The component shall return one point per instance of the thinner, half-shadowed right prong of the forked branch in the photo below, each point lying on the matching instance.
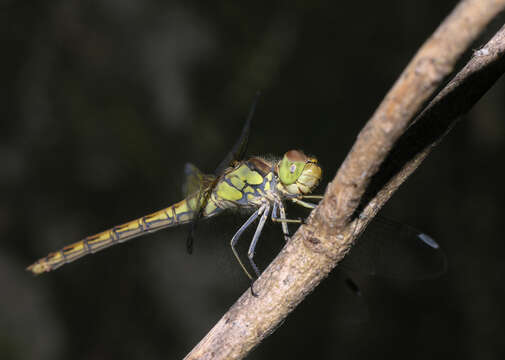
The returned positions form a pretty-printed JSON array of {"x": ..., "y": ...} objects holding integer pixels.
[{"x": 455, "y": 99}]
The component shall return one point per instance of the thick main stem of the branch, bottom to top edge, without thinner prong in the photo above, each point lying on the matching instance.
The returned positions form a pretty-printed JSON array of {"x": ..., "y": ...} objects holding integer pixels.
[{"x": 317, "y": 247}]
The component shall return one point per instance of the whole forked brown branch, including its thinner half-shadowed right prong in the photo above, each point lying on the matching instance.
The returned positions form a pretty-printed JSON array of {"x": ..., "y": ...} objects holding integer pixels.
[{"x": 368, "y": 177}]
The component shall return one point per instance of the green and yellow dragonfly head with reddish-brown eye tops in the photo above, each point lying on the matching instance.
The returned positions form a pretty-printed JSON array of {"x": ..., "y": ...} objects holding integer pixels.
[{"x": 299, "y": 173}]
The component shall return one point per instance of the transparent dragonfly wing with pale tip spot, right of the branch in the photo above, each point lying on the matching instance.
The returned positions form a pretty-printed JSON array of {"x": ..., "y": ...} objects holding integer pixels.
[{"x": 394, "y": 250}]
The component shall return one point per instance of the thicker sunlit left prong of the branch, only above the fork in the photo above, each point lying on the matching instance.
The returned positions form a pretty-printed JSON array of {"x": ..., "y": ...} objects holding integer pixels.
[{"x": 422, "y": 76}]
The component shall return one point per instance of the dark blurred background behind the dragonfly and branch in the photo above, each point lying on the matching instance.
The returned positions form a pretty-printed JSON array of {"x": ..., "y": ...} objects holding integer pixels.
[{"x": 104, "y": 102}]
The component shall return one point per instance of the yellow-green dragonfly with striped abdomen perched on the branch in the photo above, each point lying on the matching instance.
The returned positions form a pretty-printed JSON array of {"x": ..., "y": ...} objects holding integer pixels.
[{"x": 259, "y": 184}]
